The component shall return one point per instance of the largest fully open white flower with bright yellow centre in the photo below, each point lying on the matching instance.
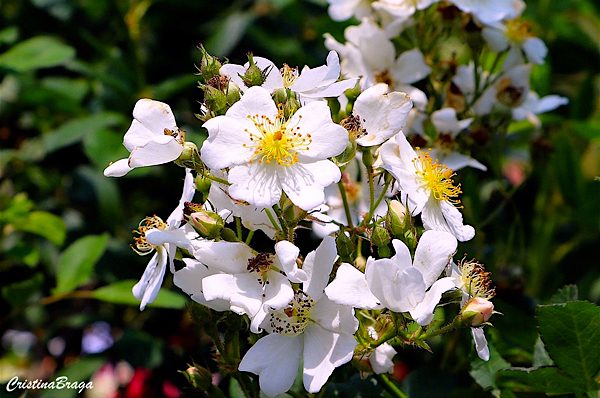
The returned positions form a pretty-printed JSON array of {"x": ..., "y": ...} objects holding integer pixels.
[{"x": 267, "y": 153}]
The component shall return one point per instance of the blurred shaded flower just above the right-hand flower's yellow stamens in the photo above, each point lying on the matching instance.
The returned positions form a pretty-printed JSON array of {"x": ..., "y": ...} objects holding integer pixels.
[{"x": 448, "y": 127}]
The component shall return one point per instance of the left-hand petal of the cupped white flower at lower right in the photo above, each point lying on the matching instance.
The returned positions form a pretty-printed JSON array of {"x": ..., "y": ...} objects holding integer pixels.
[{"x": 350, "y": 288}]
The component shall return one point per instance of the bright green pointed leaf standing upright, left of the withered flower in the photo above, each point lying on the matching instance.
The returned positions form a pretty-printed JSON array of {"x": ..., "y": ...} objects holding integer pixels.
[{"x": 76, "y": 264}]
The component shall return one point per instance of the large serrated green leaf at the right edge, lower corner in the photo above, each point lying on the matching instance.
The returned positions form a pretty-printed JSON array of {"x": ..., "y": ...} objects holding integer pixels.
[{"x": 571, "y": 333}]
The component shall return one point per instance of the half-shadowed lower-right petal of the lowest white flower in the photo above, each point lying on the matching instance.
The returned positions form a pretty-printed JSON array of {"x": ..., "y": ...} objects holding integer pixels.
[{"x": 323, "y": 352}]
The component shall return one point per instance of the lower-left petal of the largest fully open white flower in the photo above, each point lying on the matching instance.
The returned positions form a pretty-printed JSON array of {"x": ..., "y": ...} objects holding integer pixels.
[{"x": 256, "y": 183}]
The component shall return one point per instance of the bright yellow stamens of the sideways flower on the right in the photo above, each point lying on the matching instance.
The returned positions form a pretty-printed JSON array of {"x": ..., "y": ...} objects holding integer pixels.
[{"x": 437, "y": 178}]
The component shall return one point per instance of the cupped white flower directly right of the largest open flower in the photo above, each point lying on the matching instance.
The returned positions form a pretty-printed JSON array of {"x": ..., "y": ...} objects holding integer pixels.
[{"x": 380, "y": 114}]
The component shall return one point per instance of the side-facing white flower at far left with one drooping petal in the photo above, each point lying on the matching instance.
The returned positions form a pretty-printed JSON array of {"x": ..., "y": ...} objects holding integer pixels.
[{"x": 153, "y": 138}]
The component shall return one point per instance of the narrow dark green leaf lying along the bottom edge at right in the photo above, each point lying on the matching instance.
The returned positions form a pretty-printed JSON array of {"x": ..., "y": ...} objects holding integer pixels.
[{"x": 548, "y": 380}]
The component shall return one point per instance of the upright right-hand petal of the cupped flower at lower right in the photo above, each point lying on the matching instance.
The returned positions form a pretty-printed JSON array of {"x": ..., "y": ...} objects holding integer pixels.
[{"x": 433, "y": 253}]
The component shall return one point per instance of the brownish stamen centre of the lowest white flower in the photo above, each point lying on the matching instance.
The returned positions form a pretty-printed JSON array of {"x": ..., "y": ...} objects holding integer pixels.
[{"x": 292, "y": 320}]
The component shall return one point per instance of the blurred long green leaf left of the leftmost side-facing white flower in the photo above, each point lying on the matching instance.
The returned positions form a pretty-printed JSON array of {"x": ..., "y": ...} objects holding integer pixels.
[{"x": 76, "y": 129}]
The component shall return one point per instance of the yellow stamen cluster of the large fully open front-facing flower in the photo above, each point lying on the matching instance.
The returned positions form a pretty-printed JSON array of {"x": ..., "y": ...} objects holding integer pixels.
[{"x": 276, "y": 141}]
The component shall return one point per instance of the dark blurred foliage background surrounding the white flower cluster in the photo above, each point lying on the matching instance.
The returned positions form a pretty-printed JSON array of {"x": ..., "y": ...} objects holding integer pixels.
[{"x": 70, "y": 74}]
